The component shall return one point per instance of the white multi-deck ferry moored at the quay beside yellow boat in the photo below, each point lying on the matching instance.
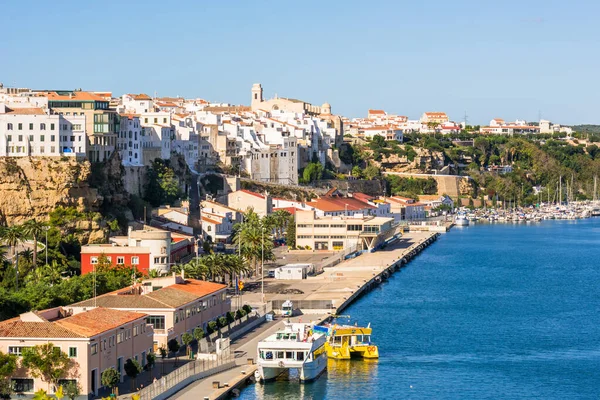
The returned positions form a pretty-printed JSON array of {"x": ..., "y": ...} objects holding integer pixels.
[{"x": 296, "y": 346}]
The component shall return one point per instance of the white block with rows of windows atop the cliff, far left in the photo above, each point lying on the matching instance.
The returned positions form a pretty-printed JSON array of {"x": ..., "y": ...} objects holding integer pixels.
[{"x": 33, "y": 131}]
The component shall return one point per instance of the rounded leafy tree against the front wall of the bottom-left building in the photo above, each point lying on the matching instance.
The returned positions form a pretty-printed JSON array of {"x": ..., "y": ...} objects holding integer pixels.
[{"x": 47, "y": 362}]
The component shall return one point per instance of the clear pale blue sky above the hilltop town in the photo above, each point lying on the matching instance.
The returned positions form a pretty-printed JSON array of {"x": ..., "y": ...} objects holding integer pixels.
[{"x": 508, "y": 59}]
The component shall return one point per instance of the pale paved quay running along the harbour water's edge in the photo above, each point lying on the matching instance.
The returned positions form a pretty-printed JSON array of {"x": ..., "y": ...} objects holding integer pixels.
[{"x": 339, "y": 285}]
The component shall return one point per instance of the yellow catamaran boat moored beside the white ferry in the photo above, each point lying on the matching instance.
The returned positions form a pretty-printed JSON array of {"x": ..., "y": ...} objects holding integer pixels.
[{"x": 346, "y": 341}]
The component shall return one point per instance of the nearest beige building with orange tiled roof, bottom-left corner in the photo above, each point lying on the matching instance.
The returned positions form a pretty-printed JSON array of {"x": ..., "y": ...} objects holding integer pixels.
[{"x": 94, "y": 338}]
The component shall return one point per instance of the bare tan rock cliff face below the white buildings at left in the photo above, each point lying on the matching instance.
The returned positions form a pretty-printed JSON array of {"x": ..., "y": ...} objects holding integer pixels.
[{"x": 33, "y": 187}]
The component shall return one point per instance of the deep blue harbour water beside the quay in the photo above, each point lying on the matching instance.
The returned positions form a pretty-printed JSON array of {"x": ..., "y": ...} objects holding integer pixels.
[{"x": 489, "y": 311}]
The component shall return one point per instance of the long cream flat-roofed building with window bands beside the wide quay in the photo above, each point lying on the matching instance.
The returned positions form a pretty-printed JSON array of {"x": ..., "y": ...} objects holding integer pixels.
[{"x": 340, "y": 232}]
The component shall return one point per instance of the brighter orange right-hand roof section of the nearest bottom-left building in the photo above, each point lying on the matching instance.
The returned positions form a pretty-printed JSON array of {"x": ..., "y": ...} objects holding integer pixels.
[{"x": 98, "y": 320}]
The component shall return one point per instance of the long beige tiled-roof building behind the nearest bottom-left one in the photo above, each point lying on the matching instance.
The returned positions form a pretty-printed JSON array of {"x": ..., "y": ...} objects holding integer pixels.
[{"x": 174, "y": 305}]
